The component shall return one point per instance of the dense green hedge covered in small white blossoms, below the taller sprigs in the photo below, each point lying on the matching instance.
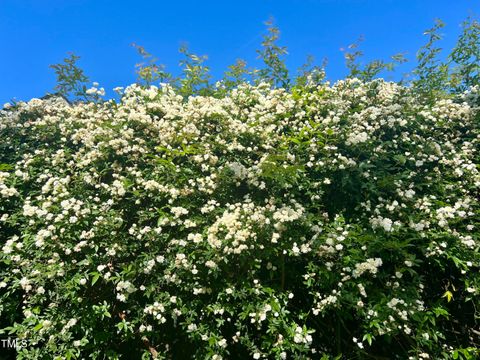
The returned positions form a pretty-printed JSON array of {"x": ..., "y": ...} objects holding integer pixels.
[{"x": 317, "y": 223}]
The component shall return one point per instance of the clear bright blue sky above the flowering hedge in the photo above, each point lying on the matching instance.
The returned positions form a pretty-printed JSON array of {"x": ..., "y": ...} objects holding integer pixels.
[{"x": 35, "y": 34}]
